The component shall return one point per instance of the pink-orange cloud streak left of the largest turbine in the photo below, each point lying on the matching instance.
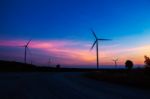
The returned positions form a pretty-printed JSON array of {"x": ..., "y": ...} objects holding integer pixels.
[{"x": 68, "y": 52}]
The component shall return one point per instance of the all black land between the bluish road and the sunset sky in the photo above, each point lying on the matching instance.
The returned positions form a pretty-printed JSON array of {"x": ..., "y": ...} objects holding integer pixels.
[{"x": 139, "y": 78}]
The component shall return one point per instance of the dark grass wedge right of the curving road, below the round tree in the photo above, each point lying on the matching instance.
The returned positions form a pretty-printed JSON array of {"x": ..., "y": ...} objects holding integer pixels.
[{"x": 138, "y": 78}]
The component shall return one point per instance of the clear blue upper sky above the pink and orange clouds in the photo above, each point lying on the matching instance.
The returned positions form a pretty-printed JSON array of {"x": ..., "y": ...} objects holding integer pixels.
[{"x": 124, "y": 21}]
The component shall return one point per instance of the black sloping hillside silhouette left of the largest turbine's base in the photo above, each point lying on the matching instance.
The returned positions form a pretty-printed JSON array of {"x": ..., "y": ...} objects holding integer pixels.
[{"x": 12, "y": 66}]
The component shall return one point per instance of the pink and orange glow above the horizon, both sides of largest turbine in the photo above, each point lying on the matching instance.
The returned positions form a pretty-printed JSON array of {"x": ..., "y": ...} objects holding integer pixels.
[{"x": 78, "y": 53}]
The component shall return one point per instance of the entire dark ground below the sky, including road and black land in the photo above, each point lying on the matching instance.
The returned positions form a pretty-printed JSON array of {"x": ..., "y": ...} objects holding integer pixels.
[{"x": 25, "y": 81}]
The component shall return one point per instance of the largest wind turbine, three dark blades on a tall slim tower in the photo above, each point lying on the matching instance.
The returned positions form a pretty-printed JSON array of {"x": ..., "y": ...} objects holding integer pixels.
[{"x": 96, "y": 42}]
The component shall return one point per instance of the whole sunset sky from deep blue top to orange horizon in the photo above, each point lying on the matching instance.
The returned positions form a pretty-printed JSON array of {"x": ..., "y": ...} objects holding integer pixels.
[{"x": 60, "y": 31}]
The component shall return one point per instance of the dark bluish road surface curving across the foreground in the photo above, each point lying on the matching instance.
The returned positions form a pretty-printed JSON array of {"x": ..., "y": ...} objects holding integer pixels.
[{"x": 63, "y": 85}]
